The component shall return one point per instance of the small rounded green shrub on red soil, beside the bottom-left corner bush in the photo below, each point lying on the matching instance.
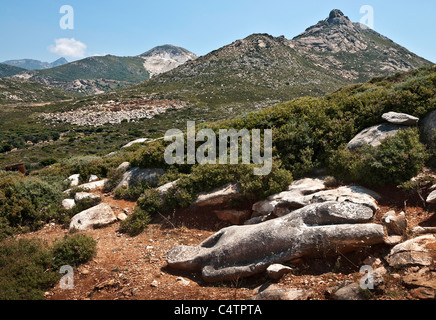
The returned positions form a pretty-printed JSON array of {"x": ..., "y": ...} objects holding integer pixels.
[{"x": 73, "y": 250}]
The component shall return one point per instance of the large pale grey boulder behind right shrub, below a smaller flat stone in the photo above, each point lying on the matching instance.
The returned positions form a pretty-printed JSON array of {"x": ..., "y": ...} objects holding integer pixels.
[{"x": 374, "y": 135}]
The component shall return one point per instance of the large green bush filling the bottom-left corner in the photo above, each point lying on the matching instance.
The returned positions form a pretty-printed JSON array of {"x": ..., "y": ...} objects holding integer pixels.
[{"x": 26, "y": 270}]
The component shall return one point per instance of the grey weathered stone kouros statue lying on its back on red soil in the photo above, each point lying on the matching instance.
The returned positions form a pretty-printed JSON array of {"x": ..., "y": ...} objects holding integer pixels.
[{"x": 316, "y": 230}]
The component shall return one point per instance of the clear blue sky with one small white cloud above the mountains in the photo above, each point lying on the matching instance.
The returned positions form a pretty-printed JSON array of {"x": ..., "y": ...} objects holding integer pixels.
[{"x": 31, "y": 28}]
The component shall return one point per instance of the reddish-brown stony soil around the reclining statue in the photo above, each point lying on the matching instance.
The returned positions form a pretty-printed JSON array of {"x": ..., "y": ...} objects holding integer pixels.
[{"x": 135, "y": 268}]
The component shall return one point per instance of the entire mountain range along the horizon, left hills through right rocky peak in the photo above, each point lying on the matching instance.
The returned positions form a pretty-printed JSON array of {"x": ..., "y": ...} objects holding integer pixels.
[{"x": 251, "y": 73}]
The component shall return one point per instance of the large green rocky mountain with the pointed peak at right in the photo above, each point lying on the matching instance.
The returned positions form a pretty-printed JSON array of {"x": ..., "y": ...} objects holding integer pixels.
[{"x": 261, "y": 70}]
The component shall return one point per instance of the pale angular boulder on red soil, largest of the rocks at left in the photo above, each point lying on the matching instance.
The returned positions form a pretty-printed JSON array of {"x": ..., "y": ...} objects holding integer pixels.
[{"x": 97, "y": 216}]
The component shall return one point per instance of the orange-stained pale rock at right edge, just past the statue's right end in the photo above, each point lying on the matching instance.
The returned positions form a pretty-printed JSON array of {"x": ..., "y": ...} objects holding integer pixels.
[{"x": 416, "y": 251}]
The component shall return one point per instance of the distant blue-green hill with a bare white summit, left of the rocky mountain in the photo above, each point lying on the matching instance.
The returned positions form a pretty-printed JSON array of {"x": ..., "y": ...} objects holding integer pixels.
[{"x": 99, "y": 74}]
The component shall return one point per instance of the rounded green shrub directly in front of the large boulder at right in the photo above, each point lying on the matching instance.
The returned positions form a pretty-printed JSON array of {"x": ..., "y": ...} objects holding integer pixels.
[{"x": 398, "y": 159}]
